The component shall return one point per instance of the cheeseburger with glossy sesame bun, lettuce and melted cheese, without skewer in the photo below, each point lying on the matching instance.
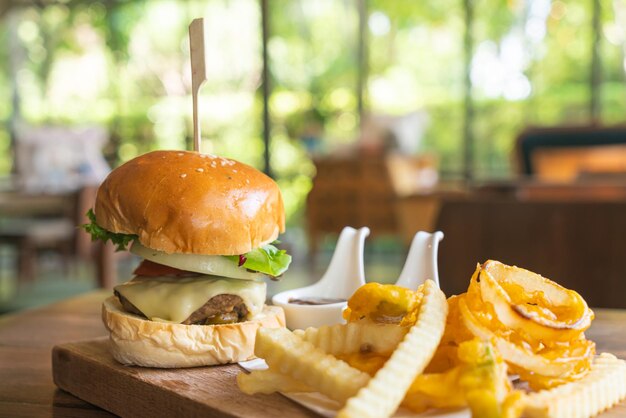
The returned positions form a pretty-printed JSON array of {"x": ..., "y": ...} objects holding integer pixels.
[{"x": 204, "y": 227}]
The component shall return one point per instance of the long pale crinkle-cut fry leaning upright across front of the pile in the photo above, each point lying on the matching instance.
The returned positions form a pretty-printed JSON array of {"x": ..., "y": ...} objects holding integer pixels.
[{"x": 384, "y": 392}]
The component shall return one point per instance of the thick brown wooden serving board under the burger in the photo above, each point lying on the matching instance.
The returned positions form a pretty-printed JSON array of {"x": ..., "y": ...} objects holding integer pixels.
[{"x": 88, "y": 371}]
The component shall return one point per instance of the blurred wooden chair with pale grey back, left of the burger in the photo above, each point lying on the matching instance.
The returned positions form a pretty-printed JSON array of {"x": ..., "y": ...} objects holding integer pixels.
[{"x": 57, "y": 169}]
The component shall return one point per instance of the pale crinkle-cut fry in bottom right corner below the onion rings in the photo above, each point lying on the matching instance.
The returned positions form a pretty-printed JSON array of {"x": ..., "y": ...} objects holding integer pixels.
[{"x": 603, "y": 387}]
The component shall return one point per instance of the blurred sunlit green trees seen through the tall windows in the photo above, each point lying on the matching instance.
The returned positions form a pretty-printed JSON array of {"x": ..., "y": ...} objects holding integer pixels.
[{"x": 125, "y": 65}]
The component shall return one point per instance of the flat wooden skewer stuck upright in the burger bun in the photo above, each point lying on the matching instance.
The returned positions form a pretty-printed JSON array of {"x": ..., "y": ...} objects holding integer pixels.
[{"x": 198, "y": 73}]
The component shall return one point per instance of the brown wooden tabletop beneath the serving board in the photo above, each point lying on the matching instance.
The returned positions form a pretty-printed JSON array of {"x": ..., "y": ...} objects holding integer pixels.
[{"x": 27, "y": 338}]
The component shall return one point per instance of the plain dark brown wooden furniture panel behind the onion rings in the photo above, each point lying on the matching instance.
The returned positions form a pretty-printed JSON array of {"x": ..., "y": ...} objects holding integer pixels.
[{"x": 579, "y": 244}]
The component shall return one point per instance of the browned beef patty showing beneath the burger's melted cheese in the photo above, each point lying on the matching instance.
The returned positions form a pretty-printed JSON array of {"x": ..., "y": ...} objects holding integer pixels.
[{"x": 220, "y": 309}]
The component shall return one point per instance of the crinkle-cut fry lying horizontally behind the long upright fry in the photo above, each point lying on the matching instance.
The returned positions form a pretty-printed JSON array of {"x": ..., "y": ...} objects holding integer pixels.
[{"x": 353, "y": 337}]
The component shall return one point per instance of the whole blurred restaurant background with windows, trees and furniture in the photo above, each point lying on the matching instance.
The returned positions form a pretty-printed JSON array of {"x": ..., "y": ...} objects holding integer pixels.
[{"x": 499, "y": 122}]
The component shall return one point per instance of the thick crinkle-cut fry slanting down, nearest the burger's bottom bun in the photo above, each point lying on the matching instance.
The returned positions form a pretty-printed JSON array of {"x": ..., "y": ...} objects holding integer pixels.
[{"x": 285, "y": 352}]
